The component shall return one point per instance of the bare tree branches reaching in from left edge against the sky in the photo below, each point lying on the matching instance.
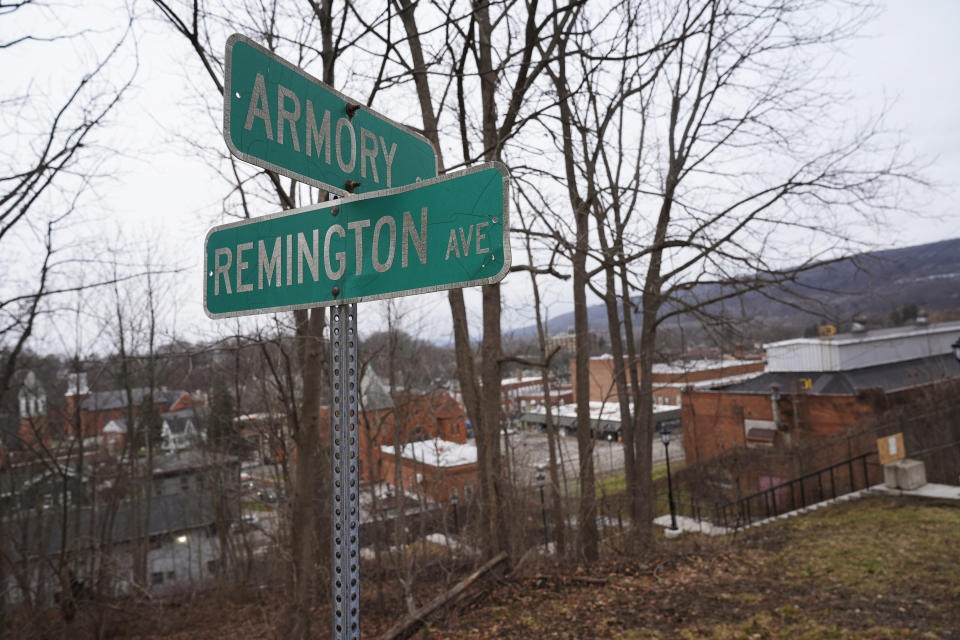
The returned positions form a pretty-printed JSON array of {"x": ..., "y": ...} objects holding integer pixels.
[{"x": 51, "y": 163}]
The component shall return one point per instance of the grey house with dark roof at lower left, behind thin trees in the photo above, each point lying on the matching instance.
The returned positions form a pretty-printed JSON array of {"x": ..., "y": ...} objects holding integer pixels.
[{"x": 191, "y": 495}]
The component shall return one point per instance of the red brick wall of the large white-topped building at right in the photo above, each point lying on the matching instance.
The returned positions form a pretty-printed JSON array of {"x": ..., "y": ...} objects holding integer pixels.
[{"x": 818, "y": 431}]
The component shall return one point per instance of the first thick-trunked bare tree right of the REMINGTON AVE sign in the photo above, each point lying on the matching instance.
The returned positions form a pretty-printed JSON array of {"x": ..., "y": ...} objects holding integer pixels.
[{"x": 589, "y": 114}]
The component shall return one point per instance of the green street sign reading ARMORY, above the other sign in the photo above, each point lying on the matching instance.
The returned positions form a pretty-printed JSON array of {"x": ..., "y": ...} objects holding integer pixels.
[{"x": 281, "y": 118}]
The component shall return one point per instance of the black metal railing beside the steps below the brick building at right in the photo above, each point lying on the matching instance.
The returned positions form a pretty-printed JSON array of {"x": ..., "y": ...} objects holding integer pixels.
[{"x": 810, "y": 488}]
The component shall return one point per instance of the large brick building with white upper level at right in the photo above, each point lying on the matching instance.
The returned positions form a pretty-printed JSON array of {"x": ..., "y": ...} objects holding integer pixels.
[{"x": 816, "y": 395}]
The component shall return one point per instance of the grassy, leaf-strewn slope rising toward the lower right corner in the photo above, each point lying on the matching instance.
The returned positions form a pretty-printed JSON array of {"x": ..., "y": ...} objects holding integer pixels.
[{"x": 878, "y": 568}]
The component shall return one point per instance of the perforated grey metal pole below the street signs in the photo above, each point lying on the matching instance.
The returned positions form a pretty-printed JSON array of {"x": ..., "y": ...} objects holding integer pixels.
[{"x": 346, "y": 504}]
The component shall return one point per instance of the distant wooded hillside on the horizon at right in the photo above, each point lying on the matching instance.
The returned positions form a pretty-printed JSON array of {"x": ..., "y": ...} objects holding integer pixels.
[{"x": 879, "y": 282}]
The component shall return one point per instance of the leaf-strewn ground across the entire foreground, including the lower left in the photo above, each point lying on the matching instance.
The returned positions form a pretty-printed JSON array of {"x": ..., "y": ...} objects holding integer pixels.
[{"x": 877, "y": 568}]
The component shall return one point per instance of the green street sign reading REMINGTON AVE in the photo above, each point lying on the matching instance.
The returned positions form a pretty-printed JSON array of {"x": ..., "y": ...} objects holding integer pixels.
[{"x": 443, "y": 233}]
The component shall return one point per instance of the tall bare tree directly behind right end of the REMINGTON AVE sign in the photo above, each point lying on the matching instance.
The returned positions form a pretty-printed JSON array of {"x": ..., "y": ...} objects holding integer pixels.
[{"x": 480, "y": 59}]
